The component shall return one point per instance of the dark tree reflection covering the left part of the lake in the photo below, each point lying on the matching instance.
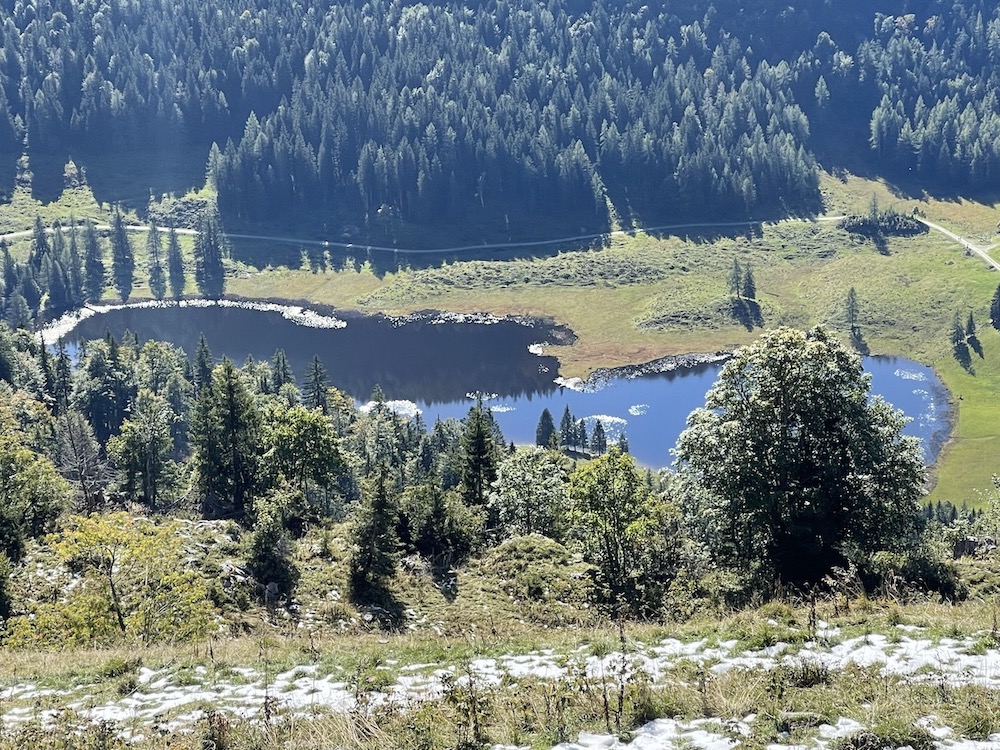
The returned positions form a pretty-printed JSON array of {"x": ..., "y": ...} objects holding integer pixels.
[{"x": 431, "y": 361}]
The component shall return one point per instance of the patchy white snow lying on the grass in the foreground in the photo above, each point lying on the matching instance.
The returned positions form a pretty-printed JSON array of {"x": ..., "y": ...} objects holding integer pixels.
[{"x": 172, "y": 699}]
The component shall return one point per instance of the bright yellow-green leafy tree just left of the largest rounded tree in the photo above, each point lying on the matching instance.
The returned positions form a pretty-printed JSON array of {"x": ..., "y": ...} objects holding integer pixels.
[{"x": 613, "y": 515}]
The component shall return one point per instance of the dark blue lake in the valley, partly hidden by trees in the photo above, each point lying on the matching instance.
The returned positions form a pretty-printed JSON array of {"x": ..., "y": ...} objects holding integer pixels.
[{"x": 436, "y": 365}]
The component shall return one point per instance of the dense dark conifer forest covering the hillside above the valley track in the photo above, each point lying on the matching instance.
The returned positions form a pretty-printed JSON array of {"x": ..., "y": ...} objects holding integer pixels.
[{"x": 383, "y": 112}]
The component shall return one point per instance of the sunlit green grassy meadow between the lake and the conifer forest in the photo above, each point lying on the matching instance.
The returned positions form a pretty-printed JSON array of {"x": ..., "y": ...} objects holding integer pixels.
[{"x": 643, "y": 297}]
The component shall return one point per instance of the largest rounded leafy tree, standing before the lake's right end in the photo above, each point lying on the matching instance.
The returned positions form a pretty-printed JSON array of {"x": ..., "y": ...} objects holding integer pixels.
[{"x": 791, "y": 469}]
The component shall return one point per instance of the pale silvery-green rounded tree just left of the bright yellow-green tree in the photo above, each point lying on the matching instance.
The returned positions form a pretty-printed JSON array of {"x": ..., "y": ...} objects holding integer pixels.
[{"x": 528, "y": 496}]
